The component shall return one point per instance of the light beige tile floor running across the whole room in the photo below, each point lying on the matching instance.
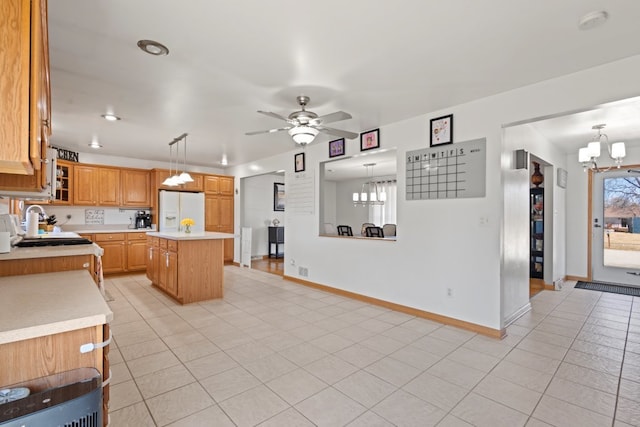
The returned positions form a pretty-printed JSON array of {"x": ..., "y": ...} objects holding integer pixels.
[{"x": 275, "y": 353}]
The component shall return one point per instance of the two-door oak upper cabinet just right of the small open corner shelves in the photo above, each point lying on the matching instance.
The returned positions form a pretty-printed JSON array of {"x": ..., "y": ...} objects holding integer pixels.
[{"x": 96, "y": 186}]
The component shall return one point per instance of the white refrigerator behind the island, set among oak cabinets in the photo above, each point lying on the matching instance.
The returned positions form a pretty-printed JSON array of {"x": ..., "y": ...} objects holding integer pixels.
[{"x": 177, "y": 205}]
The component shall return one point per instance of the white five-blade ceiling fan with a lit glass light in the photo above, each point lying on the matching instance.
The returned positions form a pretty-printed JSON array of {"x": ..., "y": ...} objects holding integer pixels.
[{"x": 303, "y": 125}]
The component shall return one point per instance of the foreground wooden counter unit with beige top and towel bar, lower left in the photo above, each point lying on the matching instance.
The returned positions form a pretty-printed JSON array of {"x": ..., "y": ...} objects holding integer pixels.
[{"x": 44, "y": 321}]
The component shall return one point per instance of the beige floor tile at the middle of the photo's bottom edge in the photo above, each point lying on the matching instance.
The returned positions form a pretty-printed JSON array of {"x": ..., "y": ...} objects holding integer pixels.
[{"x": 329, "y": 407}]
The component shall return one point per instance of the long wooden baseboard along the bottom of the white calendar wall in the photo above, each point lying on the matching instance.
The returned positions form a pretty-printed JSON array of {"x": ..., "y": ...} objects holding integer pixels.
[{"x": 473, "y": 327}]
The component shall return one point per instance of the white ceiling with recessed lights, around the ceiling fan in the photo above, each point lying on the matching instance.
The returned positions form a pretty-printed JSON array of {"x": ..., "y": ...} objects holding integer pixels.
[{"x": 381, "y": 64}]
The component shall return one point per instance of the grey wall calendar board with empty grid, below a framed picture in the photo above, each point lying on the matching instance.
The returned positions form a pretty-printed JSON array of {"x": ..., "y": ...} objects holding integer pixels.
[{"x": 450, "y": 172}]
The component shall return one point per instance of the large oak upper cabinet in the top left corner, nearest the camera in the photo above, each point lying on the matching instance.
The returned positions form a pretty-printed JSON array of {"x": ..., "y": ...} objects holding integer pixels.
[{"x": 24, "y": 86}]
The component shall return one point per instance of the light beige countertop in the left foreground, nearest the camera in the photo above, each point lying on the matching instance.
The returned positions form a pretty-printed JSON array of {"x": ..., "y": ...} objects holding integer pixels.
[{"x": 37, "y": 305}]
